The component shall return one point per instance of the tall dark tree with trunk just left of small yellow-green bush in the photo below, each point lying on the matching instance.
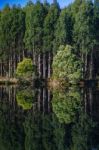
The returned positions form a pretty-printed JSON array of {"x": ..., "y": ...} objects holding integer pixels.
[{"x": 17, "y": 32}]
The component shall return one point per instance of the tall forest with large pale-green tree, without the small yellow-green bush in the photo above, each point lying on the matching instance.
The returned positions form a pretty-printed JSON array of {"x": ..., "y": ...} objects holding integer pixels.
[{"x": 61, "y": 42}]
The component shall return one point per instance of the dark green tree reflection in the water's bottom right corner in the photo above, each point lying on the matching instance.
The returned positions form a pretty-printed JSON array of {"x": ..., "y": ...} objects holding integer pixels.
[{"x": 82, "y": 133}]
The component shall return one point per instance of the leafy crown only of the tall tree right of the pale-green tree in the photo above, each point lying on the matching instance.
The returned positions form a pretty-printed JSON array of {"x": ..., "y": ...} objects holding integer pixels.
[{"x": 84, "y": 27}]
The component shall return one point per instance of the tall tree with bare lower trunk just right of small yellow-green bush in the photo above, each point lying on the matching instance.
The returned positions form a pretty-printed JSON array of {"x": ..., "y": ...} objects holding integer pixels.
[{"x": 34, "y": 32}]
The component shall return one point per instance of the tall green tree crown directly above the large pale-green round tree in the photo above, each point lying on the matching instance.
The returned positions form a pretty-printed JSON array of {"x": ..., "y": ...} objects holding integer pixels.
[{"x": 64, "y": 29}]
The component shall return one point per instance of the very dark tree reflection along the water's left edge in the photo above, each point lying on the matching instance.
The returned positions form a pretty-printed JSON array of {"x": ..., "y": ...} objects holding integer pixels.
[{"x": 11, "y": 129}]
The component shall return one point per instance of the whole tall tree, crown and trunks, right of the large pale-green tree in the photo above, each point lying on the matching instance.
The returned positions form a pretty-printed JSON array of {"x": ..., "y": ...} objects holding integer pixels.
[{"x": 84, "y": 36}]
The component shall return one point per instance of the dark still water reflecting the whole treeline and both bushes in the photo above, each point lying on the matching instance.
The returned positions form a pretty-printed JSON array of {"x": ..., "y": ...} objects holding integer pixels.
[{"x": 42, "y": 119}]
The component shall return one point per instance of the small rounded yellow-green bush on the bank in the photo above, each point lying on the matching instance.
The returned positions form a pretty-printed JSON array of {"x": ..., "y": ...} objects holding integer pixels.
[{"x": 25, "y": 69}]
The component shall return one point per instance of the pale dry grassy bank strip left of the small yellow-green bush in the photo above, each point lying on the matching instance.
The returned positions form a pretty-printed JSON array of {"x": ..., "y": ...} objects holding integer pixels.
[{"x": 5, "y": 80}]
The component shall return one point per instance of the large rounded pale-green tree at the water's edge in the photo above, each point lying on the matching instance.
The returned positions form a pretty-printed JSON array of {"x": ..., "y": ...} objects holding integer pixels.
[{"x": 66, "y": 66}]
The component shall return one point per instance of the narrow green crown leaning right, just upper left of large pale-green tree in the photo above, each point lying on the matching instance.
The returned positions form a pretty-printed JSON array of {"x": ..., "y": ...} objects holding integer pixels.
[{"x": 50, "y": 26}]
